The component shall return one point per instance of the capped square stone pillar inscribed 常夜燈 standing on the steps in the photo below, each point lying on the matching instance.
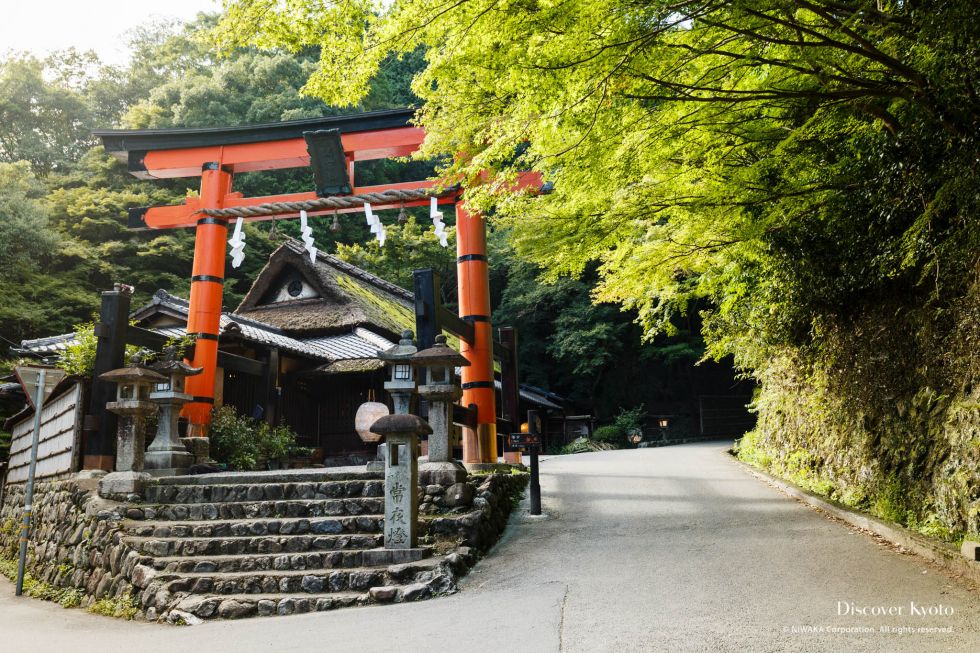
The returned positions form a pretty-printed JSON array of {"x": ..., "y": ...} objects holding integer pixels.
[{"x": 401, "y": 433}]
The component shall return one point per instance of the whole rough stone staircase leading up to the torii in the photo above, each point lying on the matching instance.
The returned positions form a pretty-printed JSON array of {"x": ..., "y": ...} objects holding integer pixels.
[{"x": 266, "y": 543}]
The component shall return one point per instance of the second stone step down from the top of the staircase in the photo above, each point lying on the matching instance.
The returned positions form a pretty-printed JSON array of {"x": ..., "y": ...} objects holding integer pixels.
[{"x": 271, "y": 491}]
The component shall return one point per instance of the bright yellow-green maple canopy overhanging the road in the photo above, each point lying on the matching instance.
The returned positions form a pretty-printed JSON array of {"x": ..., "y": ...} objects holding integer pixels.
[{"x": 783, "y": 158}]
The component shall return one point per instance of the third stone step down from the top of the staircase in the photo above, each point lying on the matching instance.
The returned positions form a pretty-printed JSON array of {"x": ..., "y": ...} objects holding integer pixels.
[{"x": 258, "y": 509}]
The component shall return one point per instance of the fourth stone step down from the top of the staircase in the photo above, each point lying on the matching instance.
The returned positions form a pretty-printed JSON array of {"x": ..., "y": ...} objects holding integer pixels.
[{"x": 258, "y": 526}]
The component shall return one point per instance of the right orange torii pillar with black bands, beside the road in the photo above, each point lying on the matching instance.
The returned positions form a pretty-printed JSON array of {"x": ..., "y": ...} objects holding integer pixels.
[{"x": 480, "y": 446}]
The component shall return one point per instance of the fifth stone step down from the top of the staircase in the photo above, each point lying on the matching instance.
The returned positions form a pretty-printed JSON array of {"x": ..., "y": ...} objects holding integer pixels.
[{"x": 160, "y": 546}]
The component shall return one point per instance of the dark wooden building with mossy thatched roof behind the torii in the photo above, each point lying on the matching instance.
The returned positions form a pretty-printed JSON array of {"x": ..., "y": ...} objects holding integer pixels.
[{"x": 317, "y": 327}]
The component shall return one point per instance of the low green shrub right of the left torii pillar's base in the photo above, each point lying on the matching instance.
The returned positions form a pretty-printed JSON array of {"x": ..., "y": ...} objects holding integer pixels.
[{"x": 244, "y": 443}]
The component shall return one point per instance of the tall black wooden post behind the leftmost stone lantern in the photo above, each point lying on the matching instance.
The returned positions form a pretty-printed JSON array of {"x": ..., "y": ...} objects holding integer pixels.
[{"x": 110, "y": 351}]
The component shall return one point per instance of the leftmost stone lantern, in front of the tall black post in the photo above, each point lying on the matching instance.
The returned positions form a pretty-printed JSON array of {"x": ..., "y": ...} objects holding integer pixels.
[{"x": 133, "y": 405}]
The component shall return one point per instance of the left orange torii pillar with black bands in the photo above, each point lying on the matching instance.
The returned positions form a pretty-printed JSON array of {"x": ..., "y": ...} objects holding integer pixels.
[{"x": 207, "y": 285}]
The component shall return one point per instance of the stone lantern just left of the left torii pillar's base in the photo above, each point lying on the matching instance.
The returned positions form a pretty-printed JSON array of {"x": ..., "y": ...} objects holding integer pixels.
[{"x": 167, "y": 455}]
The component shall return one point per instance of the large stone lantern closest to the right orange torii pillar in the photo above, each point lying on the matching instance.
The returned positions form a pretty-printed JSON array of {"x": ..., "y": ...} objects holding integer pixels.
[{"x": 439, "y": 363}]
